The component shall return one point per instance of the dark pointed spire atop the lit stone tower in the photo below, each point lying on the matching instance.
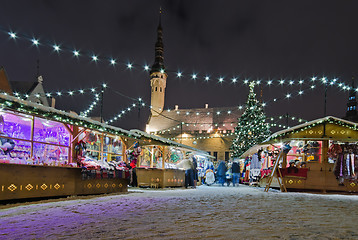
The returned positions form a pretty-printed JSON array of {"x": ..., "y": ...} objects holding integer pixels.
[{"x": 159, "y": 48}]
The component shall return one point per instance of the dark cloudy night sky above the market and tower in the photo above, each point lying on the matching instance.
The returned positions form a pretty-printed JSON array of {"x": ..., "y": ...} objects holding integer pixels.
[{"x": 255, "y": 40}]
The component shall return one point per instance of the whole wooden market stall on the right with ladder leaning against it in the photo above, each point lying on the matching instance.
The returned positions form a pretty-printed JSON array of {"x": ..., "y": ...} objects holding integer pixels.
[{"x": 321, "y": 155}]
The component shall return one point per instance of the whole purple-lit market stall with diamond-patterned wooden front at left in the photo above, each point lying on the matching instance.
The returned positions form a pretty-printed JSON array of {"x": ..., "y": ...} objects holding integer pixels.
[{"x": 46, "y": 152}]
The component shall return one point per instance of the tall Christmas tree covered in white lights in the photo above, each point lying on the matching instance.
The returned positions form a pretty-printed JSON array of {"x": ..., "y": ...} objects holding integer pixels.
[{"x": 252, "y": 127}]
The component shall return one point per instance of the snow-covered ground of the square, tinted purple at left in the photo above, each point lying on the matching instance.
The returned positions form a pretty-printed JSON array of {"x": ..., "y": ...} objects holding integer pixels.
[{"x": 206, "y": 212}]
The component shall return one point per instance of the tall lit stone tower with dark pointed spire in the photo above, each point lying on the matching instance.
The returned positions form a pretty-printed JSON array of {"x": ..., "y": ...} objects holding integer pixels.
[{"x": 158, "y": 76}]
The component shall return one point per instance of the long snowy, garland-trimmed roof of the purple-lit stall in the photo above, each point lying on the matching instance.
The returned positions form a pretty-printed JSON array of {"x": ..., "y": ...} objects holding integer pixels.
[{"x": 12, "y": 103}]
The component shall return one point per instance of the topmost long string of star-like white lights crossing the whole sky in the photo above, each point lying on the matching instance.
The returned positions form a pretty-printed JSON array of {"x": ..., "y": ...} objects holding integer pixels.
[{"x": 221, "y": 79}]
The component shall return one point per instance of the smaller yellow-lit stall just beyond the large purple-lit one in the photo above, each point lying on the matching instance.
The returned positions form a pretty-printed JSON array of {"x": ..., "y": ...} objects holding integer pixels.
[{"x": 157, "y": 165}]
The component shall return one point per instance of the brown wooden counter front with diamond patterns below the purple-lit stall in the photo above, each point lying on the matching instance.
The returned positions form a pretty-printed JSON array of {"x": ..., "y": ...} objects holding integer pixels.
[{"x": 30, "y": 181}]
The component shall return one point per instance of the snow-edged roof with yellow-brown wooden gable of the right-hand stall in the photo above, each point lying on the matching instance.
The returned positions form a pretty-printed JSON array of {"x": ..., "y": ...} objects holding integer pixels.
[{"x": 331, "y": 128}]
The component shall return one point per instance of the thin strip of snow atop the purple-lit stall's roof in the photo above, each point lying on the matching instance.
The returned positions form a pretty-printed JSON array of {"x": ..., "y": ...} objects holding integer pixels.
[{"x": 61, "y": 112}]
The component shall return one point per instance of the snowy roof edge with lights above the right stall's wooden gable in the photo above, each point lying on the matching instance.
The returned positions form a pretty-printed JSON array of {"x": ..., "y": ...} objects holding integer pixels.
[{"x": 329, "y": 119}]
